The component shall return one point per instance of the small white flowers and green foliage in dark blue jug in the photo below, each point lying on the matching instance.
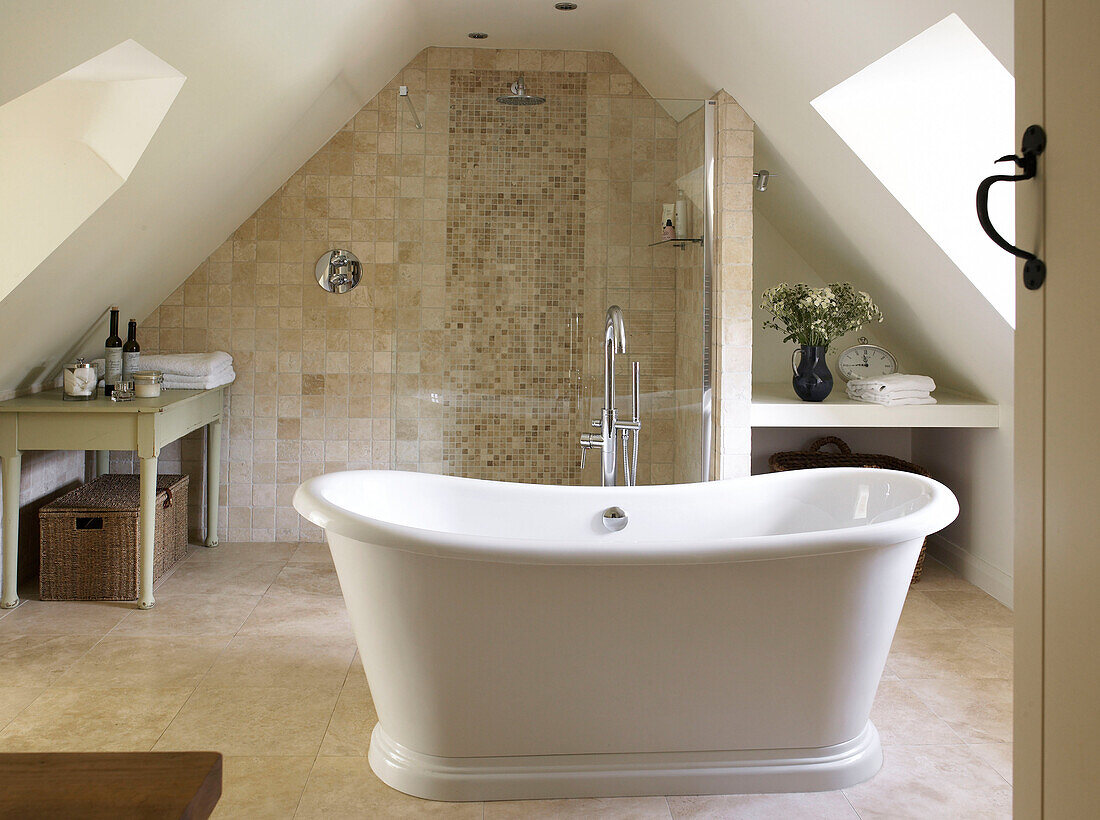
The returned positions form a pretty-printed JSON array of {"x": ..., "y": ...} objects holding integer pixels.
[{"x": 818, "y": 315}]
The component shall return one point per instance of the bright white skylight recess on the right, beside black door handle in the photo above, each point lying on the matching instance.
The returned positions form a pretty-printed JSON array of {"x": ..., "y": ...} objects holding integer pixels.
[{"x": 929, "y": 119}]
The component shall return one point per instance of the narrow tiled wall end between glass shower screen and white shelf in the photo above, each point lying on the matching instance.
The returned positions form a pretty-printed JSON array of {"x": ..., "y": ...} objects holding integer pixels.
[{"x": 733, "y": 294}]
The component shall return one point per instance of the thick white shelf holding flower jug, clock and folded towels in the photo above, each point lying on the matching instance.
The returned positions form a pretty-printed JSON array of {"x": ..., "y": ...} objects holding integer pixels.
[{"x": 776, "y": 406}]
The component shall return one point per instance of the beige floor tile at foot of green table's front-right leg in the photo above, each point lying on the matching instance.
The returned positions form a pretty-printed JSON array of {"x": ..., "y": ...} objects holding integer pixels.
[{"x": 190, "y": 615}]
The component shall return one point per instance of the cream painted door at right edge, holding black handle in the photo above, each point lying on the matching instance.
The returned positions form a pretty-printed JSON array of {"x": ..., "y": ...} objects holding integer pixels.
[{"x": 1058, "y": 567}]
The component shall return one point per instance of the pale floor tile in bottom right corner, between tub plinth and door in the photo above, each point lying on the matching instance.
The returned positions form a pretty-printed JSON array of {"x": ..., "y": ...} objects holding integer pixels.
[{"x": 933, "y": 782}]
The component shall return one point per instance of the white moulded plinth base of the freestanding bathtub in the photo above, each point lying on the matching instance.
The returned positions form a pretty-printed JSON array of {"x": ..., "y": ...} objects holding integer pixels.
[{"x": 624, "y": 775}]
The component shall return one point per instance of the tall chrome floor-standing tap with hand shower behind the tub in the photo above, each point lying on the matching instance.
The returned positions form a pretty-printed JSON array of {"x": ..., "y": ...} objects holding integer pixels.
[{"x": 609, "y": 424}]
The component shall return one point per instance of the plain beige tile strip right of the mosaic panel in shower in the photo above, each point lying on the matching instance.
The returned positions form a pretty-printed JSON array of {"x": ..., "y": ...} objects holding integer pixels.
[{"x": 631, "y": 173}]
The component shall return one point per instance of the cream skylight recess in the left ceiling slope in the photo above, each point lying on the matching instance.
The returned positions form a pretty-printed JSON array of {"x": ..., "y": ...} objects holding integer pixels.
[{"x": 68, "y": 146}]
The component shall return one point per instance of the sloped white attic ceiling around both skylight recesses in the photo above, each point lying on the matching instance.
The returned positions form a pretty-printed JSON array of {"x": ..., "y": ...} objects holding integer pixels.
[{"x": 269, "y": 83}]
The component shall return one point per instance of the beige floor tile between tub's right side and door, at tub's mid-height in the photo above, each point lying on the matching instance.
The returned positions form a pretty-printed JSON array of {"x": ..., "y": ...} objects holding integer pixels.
[{"x": 954, "y": 654}]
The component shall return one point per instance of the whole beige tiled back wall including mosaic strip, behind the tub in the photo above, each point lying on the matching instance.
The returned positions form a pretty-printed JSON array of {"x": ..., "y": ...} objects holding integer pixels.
[{"x": 376, "y": 379}]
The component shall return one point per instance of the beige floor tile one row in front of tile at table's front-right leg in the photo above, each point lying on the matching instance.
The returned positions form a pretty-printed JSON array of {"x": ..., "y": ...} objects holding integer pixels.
[{"x": 127, "y": 661}]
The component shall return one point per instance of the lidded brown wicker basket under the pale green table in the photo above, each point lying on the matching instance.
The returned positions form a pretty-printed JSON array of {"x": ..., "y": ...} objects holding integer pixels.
[{"x": 91, "y": 539}]
